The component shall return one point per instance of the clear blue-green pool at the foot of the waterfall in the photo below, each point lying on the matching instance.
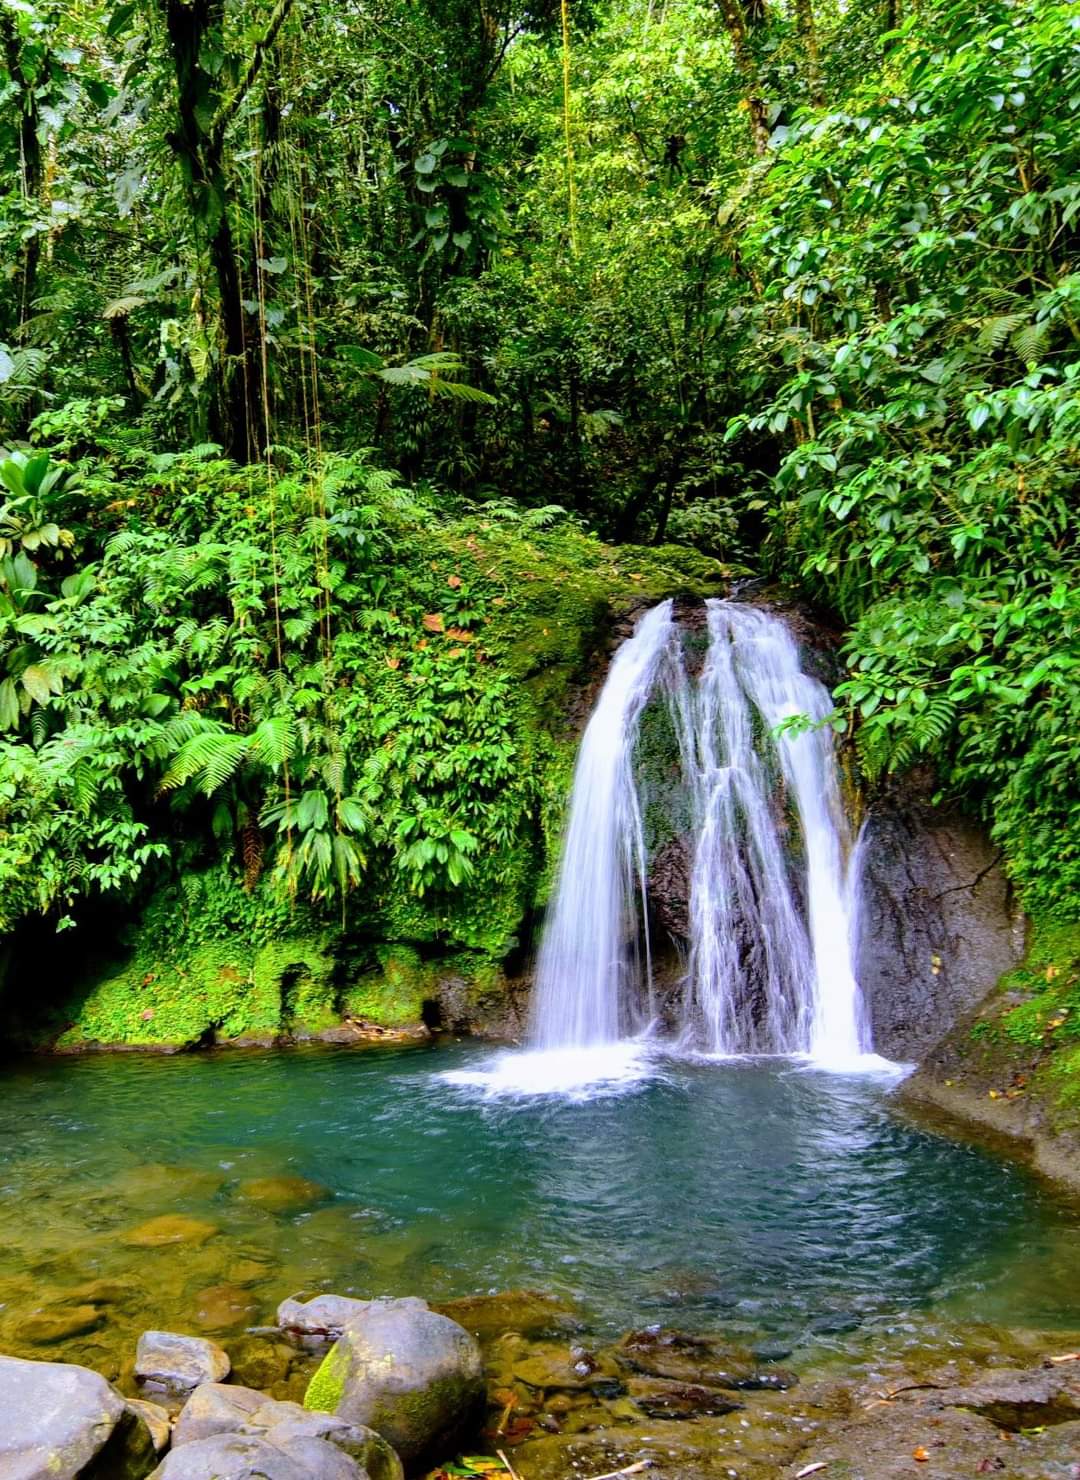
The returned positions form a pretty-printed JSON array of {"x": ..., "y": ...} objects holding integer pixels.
[{"x": 763, "y": 1200}]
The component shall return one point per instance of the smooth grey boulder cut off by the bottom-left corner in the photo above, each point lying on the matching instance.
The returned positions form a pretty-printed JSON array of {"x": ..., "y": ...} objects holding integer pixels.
[{"x": 57, "y": 1420}]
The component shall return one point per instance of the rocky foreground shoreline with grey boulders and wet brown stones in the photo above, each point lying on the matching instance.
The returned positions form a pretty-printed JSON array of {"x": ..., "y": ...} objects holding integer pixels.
[{"x": 510, "y": 1387}]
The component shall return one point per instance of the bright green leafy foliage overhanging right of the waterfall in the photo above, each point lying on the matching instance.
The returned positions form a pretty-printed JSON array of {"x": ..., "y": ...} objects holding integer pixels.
[{"x": 918, "y": 309}]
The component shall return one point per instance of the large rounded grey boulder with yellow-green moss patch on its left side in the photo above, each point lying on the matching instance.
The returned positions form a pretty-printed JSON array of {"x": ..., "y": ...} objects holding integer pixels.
[{"x": 411, "y": 1374}]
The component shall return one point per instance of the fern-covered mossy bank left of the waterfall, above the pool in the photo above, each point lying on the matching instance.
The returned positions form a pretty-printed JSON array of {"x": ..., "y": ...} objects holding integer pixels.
[{"x": 273, "y": 713}]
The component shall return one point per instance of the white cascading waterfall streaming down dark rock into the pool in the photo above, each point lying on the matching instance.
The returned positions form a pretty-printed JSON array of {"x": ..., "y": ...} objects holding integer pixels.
[{"x": 772, "y": 943}]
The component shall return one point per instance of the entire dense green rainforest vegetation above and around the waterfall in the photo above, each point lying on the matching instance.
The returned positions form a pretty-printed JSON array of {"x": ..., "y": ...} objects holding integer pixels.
[{"x": 795, "y": 286}]
